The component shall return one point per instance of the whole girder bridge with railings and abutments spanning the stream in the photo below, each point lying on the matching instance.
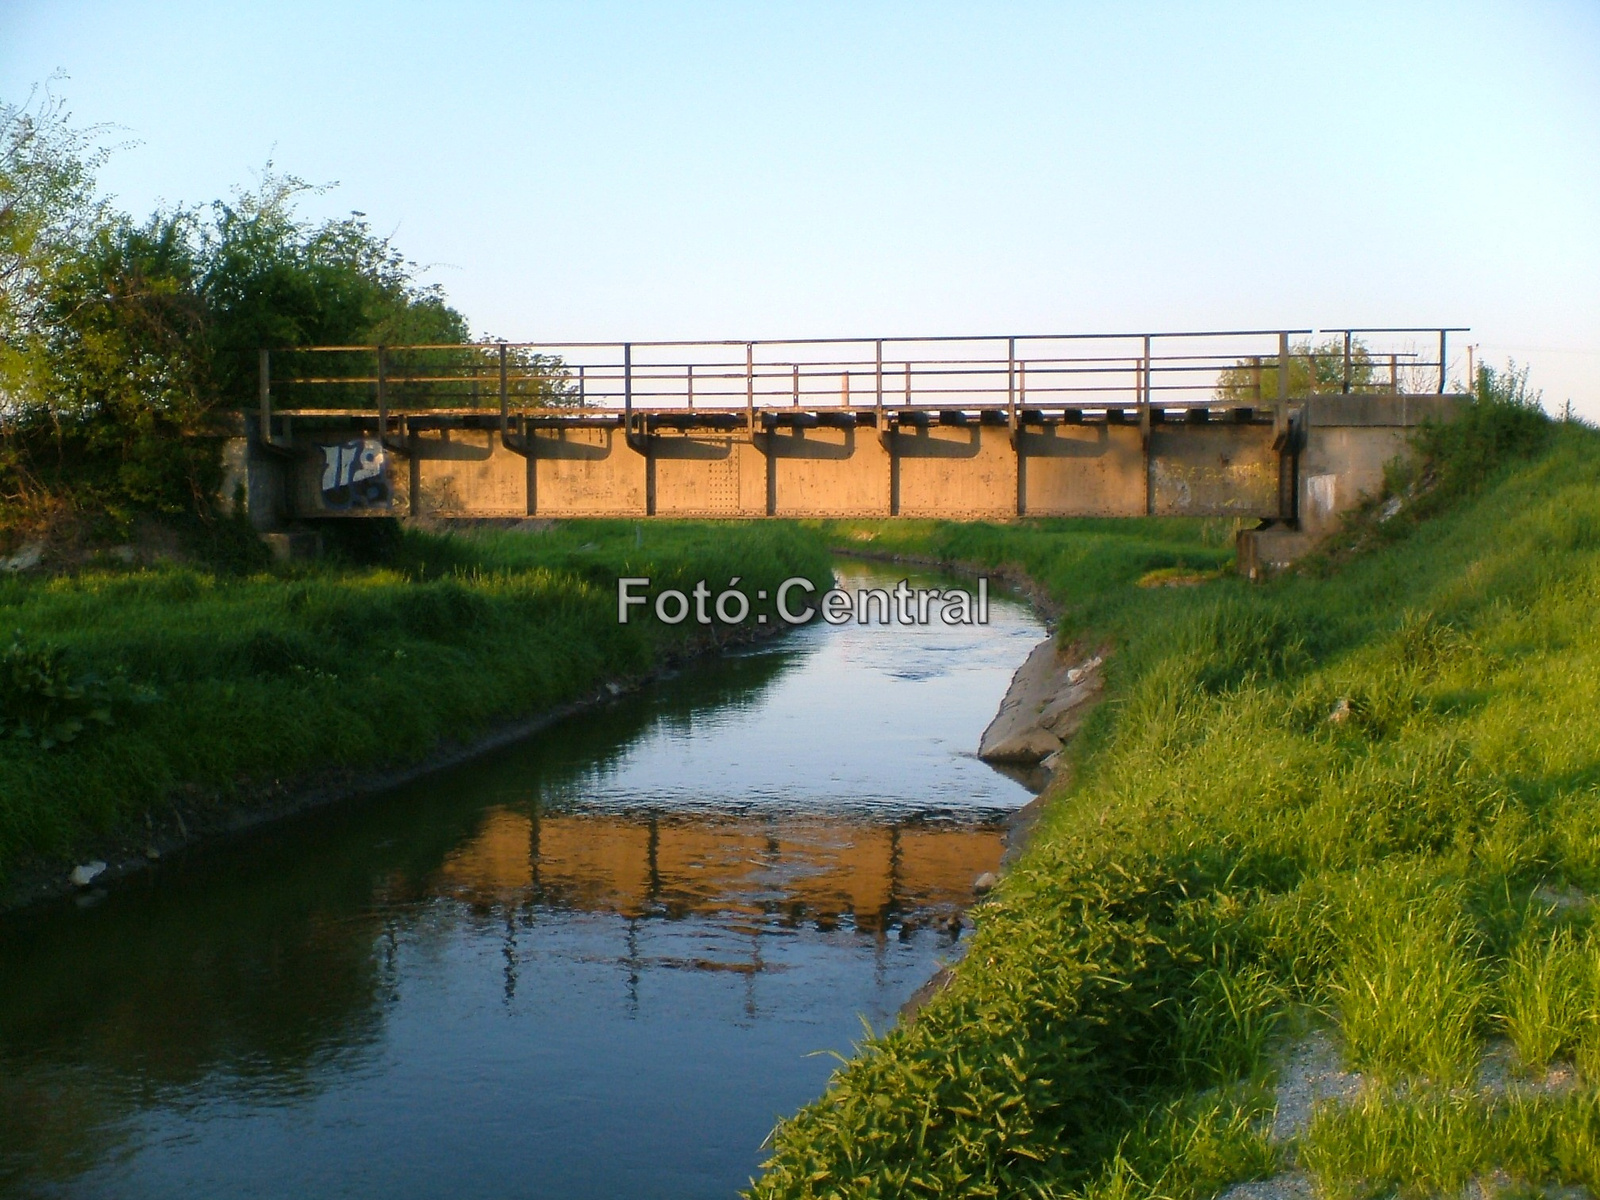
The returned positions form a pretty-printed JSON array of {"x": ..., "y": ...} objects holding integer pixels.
[{"x": 1278, "y": 426}]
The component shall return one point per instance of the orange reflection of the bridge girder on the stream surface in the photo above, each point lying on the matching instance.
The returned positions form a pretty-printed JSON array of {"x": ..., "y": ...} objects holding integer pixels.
[{"x": 817, "y": 871}]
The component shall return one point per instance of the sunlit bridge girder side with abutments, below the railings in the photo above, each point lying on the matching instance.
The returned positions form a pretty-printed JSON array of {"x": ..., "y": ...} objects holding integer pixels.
[{"x": 962, "y": 468}]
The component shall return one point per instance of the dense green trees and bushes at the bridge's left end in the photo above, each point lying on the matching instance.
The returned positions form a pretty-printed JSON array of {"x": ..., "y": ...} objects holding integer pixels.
[{"x": 122, "y": 340}]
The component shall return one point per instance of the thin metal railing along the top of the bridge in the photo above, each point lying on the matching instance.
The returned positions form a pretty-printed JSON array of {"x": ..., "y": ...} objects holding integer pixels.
[{"x": 1012, "y": 374}]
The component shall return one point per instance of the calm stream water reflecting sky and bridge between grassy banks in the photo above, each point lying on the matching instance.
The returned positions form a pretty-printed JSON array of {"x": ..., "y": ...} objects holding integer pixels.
[{"x": 601, "y": 964}]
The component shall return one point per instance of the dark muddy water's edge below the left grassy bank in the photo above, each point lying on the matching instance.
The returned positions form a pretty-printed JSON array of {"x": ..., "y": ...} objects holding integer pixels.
[{"x": 204, "y": 818}]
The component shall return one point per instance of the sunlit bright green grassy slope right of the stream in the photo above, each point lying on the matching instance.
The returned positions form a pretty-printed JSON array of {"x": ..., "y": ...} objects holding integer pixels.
[{"x": 1364, "y": 798}]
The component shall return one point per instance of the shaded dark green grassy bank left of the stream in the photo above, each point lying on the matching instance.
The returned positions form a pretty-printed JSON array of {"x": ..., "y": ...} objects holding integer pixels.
[{"x": 129, "y": 690}]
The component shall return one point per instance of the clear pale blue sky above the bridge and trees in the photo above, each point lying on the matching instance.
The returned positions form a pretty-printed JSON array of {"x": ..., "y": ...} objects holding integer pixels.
[{"x": 601, "y": 170}]
